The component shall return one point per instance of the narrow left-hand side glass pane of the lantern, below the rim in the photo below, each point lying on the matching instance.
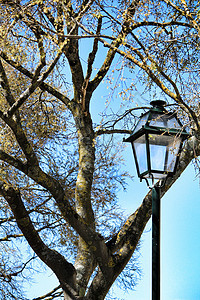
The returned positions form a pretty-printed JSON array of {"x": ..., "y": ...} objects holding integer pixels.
[{"x": 140, "y": 150}]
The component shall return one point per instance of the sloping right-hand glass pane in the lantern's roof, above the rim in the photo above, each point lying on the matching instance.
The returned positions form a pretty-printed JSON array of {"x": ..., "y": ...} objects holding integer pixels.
[{"x": 165, "y": 120}]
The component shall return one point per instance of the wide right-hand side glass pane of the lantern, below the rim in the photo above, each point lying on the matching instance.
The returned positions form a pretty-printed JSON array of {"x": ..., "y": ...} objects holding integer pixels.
[{"x": 163, "y": 152}]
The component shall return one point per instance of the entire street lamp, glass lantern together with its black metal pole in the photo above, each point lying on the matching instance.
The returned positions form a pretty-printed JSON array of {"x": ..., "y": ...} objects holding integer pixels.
[{"x": 157, "y": 142}]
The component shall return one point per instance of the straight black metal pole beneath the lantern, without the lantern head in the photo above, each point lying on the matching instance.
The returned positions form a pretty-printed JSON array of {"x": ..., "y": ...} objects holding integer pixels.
[{"x": 156, "y": 243}]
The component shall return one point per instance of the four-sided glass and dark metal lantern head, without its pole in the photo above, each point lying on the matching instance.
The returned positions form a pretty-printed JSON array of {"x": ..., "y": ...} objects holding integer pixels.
[{"x": 157, "y": 141}]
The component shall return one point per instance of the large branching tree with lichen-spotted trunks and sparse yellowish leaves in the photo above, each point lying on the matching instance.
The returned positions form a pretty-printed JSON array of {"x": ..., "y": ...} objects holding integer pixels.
[{"x": 60, "y": 171}]
